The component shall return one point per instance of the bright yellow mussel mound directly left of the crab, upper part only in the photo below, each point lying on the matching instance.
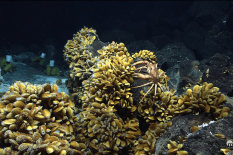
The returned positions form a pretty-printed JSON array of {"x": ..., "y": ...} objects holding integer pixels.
[{"x": 111, "y": 79}]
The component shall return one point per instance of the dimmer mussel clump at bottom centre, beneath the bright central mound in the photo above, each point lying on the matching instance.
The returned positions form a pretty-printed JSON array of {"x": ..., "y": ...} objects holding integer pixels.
[{"x": 106, "y": 132}]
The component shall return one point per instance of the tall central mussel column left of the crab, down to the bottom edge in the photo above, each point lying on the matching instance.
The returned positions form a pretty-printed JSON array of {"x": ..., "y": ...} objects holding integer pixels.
[{"x": 106, "y": 98}]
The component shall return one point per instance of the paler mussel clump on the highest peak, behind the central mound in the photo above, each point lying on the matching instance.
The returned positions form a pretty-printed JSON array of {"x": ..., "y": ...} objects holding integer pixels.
[{"x": 77, "y": 55}]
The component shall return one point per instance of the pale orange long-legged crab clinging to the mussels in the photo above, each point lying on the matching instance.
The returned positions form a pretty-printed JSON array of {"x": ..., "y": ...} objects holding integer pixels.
[{"x": 152, "y": 75}]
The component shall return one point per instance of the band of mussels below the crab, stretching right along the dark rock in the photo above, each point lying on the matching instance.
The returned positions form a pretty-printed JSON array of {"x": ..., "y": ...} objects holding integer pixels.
[{"x": 166, "y": 105}]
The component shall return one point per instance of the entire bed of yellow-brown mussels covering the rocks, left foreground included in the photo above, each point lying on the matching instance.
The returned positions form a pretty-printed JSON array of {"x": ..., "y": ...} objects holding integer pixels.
[{"x": 37, "y": 119}]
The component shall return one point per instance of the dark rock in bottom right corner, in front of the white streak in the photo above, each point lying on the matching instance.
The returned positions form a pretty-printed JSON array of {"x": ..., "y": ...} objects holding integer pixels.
[{"x": 204, "y": 141}]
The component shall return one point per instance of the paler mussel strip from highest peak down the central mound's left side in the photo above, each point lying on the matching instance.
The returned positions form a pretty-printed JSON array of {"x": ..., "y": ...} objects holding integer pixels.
[{"x": 80, "y": 61}]
